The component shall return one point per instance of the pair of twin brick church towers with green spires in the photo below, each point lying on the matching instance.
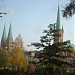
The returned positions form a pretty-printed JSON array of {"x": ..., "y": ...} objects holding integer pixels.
[{"x": 6, "y": 42}]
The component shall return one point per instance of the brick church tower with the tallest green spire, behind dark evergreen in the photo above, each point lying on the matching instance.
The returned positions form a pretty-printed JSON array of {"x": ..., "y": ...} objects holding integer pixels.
[{"x": 58, "y": 33}]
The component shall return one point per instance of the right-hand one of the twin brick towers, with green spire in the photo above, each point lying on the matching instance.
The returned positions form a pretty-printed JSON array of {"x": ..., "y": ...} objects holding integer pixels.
[{"x": 9, "y": 39}]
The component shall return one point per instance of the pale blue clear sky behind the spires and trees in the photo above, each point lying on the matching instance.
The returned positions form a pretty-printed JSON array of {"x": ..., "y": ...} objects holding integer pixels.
[{"x": 31, "y": 17}]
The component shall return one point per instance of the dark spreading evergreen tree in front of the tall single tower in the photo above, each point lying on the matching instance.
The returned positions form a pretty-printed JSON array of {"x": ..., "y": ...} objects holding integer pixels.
[{"x": 52, "y": 54}]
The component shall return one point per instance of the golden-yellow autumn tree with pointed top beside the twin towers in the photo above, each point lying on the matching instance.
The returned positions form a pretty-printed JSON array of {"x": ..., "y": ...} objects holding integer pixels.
[{"x": 18, "y": 58}]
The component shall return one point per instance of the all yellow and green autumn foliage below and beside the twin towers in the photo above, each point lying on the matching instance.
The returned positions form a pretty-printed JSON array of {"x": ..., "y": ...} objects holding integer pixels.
[{"x": 14, "y": 58}]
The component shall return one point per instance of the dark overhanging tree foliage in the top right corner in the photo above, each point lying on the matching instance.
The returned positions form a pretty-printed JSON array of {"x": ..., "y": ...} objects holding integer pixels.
[{"x": 69, "y": 9}]
